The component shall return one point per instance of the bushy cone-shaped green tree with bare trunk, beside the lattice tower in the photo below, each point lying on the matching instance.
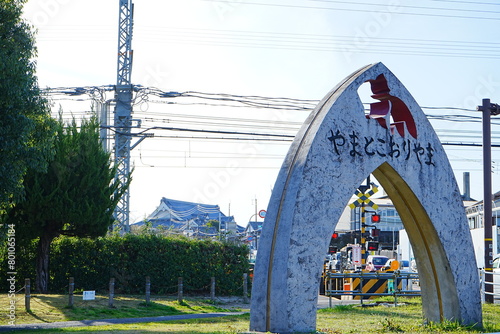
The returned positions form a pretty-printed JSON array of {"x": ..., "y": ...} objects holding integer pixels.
[{"x": 75, "y": 197}]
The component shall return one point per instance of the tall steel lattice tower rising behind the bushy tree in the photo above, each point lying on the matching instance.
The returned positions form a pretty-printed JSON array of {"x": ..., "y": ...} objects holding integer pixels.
[{"x": 123, "y": 109}]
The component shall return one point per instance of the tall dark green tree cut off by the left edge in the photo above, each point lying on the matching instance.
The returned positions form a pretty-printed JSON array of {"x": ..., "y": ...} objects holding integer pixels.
[{"x": 26, "y": 129}]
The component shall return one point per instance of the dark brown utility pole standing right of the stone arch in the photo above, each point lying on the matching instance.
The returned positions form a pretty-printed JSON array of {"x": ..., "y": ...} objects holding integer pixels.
[{"x": 487, "y": 109}]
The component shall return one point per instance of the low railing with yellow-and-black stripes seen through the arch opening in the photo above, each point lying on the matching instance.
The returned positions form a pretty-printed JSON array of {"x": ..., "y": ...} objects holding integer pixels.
[{"x": 364, "y": 285}]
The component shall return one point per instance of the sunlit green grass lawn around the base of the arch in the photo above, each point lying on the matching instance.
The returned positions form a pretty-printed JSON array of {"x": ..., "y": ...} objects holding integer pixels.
[{"x": 384, "y": 318}]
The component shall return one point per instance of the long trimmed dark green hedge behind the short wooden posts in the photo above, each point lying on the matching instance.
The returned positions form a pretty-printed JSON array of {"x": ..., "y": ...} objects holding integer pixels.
[{"x": 131, "y": 258}]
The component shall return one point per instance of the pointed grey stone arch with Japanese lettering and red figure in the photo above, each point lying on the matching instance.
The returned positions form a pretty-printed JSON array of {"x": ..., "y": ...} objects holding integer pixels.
[{"x": 338, "y": 146}]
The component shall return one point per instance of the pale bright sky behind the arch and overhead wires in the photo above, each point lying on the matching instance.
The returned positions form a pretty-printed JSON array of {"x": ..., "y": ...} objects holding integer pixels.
[{"x": 445, "y": 52}]
